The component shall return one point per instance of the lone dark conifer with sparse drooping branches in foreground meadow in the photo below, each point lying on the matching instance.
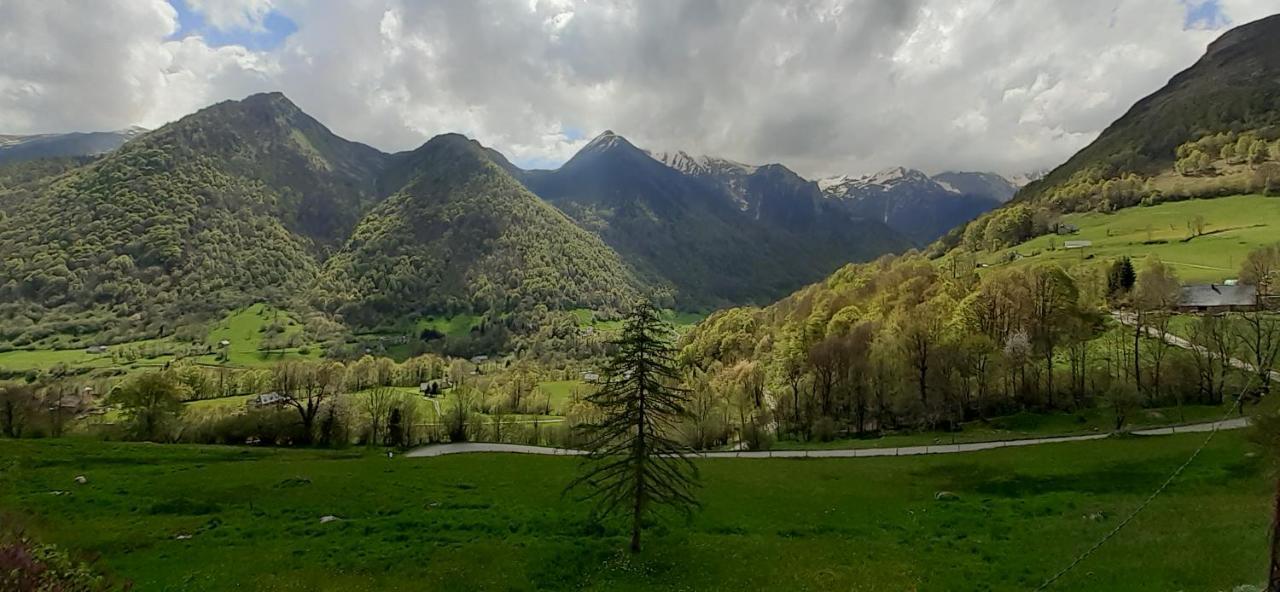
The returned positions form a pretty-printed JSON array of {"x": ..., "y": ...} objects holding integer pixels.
[{"x": 633, "y": 467}]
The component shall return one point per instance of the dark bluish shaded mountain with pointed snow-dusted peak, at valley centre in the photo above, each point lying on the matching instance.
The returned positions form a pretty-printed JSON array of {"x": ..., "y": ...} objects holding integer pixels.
[{"x": 710, "y": 230}]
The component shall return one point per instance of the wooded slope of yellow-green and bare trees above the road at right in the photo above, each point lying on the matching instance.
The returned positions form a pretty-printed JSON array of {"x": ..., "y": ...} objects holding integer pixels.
[{"x": 902, "y": 344}]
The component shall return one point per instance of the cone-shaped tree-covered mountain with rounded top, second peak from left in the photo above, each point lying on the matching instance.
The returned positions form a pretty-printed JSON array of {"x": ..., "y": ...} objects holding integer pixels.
[{"x": 464, "y": 236}]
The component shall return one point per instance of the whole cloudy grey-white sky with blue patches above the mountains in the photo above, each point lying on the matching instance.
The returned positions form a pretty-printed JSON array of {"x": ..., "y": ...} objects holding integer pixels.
[{"x": 824, "y": 86}]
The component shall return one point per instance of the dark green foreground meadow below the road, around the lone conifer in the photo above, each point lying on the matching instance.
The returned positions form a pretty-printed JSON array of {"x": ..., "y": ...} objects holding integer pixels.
[{"x": 500, "y": 522}]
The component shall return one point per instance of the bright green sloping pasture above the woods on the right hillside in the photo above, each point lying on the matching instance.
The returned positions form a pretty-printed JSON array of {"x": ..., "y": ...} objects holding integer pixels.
[{"x": 1235, "y": 226}]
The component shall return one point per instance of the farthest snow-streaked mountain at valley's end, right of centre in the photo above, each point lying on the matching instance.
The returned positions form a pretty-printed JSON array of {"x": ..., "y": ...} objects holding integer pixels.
[{"x": 917, "y": 206}]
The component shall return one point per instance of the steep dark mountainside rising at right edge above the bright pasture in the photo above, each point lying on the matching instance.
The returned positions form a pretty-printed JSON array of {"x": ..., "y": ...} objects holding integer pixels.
[{"x": 1213, "y": 130}]
